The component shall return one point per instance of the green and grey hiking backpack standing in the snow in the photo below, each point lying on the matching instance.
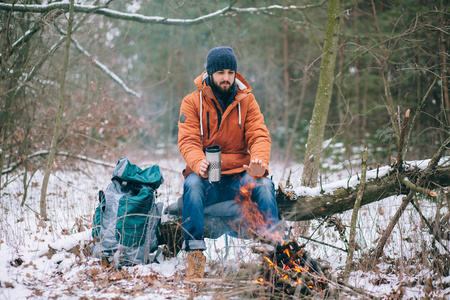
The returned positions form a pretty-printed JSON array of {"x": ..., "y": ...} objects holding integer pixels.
[{"x": 126, "y": 221}]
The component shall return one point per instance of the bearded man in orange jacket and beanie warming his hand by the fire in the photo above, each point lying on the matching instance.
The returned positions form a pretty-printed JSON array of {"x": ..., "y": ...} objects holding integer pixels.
[{"x": 222, "y": 111}]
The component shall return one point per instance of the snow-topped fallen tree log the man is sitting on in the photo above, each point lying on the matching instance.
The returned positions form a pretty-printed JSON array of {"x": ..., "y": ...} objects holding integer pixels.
[{"x": 332, "y": 200}]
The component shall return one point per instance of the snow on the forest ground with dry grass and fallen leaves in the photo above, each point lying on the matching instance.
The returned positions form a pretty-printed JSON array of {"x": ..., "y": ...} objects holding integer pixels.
[{"x": 43, "y": 260}]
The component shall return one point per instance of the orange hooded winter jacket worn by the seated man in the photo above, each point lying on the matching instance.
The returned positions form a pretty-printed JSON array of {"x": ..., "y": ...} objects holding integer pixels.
[{"x": 241, "y": 133}]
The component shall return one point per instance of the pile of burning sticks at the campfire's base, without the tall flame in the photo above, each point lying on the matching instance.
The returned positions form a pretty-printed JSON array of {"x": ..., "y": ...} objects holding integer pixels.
[{"x": 289, "y": 267}]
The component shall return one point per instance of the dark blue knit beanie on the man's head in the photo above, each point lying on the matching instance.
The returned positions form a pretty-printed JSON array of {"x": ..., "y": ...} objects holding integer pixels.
[{"x": 220, "y": 58}]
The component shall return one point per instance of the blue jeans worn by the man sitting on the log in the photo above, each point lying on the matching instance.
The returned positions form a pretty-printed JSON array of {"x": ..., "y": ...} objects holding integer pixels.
[{"x": 199, "y": 193}]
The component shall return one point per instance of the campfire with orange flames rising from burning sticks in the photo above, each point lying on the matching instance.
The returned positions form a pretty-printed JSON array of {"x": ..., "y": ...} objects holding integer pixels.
[{"x": 285, "y": 265}]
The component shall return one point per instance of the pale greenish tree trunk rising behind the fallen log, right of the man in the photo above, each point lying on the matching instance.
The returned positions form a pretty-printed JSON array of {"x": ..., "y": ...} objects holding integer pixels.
[{"x": 323, "y": 96}]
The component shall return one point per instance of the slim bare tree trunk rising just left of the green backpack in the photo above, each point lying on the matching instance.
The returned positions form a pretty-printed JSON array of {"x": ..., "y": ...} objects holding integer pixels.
[{"x": 51, "y": 156}]
